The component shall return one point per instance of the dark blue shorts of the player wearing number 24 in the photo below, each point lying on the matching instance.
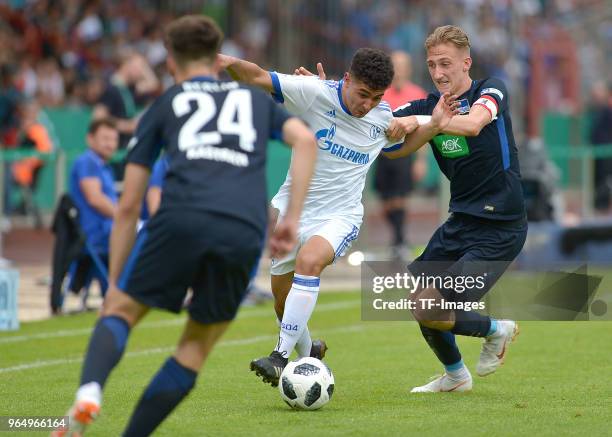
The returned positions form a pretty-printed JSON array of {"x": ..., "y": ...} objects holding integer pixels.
[{"x": 211, "y": 253}]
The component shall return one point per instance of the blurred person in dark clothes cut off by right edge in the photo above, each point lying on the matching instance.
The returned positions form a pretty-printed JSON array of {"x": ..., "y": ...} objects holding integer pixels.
[{"x": 601, "y": 134}]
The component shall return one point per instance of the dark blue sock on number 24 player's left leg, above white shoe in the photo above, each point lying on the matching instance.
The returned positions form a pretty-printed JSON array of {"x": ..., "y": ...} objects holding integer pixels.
[{"x": 105, "y": 349}]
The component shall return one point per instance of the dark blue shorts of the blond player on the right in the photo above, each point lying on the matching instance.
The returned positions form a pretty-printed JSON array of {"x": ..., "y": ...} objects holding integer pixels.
[{"x": 470, "y": 247}]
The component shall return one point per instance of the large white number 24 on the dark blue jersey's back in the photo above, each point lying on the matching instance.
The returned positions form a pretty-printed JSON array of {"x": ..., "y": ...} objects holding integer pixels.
[{"x": 235, "y": 118}]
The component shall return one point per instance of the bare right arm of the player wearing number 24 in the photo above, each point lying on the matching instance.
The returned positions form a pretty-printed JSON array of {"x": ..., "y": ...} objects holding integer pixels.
[{"x": 304, "y": 156}]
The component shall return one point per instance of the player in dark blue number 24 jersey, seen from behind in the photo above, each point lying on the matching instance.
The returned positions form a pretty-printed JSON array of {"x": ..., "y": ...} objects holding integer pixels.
[{"x": 209, "y": 229}]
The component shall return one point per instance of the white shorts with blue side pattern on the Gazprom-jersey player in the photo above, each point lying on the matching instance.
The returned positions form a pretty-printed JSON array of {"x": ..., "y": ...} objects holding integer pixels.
[{"x": 340, "y": 234}]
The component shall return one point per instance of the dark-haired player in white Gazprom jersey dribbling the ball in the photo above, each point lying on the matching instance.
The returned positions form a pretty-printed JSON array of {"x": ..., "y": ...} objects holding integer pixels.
[{"x": 349, "y": 121}]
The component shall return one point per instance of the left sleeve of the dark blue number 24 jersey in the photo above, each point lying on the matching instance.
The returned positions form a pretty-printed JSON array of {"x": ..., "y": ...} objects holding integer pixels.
[{"x": 145, "y": 145}]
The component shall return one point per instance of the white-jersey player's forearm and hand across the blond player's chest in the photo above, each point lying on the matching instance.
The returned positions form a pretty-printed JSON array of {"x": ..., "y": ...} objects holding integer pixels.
[{"x": 442, "y": 114}]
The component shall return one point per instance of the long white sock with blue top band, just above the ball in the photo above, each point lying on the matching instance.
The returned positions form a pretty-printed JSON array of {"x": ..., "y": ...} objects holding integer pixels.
[{"x": 298, "y": 308}]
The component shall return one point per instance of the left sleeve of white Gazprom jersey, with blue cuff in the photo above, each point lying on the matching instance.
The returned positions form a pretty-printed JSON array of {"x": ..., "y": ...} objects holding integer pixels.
[{"x": 296, "y": 92}]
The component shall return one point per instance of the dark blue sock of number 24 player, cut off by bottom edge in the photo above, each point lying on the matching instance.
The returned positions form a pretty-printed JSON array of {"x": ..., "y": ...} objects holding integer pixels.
[{"x": 166, "y": 390}]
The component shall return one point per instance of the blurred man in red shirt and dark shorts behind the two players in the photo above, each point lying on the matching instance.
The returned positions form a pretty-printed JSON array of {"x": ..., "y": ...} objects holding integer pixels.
[{"x": 394, "y": 178}]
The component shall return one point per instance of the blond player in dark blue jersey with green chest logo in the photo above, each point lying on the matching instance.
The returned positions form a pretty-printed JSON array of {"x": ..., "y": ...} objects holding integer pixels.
[{"x": 487, "y": 227}]
